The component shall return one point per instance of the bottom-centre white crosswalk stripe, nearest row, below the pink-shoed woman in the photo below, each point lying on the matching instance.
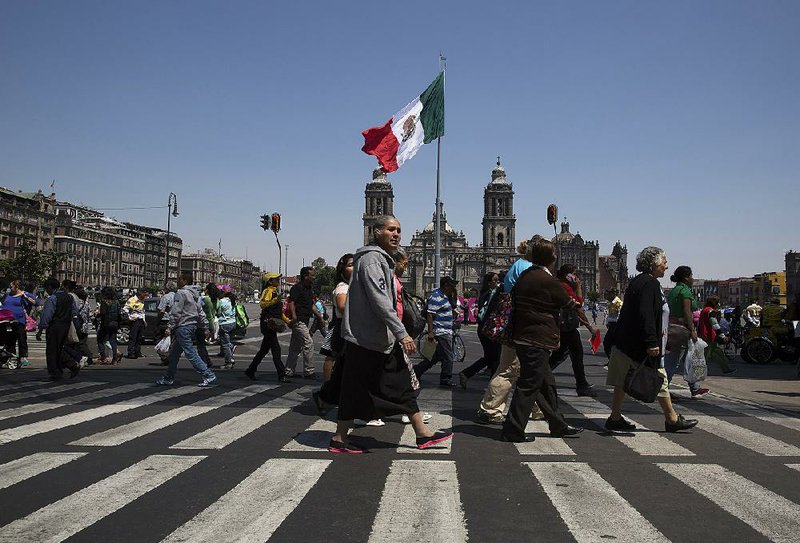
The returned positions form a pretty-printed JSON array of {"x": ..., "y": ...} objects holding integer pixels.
[{"x": 412, "y": 508}]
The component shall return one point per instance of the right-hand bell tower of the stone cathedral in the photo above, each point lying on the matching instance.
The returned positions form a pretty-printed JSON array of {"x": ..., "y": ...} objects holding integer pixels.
[{"x": 499, "y": 222}]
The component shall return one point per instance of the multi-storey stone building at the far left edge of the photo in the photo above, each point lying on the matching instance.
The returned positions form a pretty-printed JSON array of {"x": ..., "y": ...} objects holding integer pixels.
[{"x": 26, "y": 218}]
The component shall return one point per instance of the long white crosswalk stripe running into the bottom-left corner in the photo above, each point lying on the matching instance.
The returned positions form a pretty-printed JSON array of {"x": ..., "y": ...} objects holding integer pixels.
[{"x": 59, "y": 520}]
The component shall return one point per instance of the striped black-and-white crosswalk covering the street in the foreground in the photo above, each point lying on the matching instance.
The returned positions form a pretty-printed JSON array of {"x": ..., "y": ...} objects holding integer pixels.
[{"x": 250, "y": 463}]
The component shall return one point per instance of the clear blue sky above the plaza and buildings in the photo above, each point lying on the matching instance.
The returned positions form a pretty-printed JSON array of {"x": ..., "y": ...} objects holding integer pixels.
[{"x": 666, "y": 123}]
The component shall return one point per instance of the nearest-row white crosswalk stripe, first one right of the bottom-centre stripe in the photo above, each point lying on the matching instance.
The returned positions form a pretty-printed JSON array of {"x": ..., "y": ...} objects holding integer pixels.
[{"x": 591, "y": 508}]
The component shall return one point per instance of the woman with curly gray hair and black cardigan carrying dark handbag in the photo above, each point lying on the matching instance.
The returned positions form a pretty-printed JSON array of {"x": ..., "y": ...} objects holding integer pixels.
[{"x": 640, "y": 338}]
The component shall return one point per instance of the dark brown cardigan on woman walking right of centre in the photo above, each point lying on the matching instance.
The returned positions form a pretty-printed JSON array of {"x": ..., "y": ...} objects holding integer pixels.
[{"x": 538, "y": 299}]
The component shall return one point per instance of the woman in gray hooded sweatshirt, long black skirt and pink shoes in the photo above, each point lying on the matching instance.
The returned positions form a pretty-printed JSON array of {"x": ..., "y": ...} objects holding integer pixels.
[{"x": 376, "y": 380}]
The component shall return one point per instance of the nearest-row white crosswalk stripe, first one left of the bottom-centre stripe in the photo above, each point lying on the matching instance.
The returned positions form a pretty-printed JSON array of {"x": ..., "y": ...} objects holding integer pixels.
[{"x": 271, "y": 492}]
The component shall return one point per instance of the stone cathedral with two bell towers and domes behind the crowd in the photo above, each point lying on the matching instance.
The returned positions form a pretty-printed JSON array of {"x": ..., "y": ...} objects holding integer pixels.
[{"x": 498, "y": 250}]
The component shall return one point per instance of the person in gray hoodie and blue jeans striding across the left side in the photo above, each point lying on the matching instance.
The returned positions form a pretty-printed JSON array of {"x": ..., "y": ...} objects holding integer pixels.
[{"x": 185, "y": 315}]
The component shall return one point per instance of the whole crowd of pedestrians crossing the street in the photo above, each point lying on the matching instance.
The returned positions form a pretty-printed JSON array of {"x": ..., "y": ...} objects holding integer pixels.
[{"x": 529, "y": 318}]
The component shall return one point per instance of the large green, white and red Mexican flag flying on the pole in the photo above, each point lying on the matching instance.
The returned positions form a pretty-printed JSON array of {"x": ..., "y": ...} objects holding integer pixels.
[{"x": 420, "y": 122}]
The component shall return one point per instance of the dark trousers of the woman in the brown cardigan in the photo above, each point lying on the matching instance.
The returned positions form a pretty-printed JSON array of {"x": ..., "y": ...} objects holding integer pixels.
[{"x": 535, "y": 384}]
